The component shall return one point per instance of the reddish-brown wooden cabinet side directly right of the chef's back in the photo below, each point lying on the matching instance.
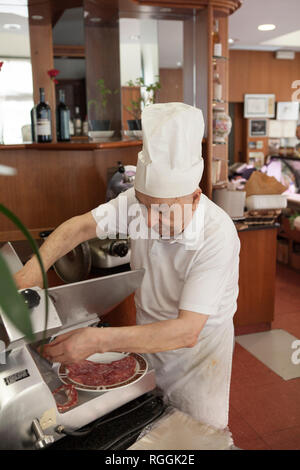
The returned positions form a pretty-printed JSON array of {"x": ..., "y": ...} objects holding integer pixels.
[{"x": 256, "y": 299}]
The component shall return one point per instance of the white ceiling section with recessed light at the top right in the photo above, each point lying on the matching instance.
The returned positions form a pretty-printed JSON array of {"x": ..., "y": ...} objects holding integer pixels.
[{"x": 285, "y": 14}]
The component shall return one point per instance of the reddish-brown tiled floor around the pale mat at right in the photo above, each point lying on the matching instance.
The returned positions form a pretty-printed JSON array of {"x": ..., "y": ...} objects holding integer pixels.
[{"x": 265, "y": 409}]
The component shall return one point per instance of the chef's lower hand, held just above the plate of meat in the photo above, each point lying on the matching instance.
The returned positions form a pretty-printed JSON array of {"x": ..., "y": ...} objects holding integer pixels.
[{"x": 73, "y": 346}]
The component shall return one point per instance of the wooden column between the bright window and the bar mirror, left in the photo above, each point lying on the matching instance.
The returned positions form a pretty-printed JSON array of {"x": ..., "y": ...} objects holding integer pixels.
[{"x": 41, "y": 47}]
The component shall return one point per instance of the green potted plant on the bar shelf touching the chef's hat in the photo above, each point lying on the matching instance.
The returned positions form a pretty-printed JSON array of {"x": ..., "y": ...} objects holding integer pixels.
[{"x": 148, "y": 95}]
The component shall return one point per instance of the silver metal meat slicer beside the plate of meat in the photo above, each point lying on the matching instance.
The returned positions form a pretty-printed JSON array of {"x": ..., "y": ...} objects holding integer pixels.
[{"x": 29, "y": 416}]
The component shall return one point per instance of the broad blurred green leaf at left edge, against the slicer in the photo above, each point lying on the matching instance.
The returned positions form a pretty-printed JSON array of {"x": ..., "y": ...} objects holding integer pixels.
[{"x": 12, "y": 303}]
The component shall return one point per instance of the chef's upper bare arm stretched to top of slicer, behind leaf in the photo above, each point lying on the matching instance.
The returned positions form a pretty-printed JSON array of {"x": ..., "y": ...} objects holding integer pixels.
[{"x": 66, "y": 237}]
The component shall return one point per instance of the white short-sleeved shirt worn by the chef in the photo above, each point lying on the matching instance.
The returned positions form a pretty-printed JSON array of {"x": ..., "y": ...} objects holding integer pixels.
[{"x": 198, "y": 272}]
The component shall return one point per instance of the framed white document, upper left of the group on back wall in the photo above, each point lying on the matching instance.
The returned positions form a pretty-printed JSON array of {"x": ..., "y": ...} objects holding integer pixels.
[{"x": 259, "y": 106}]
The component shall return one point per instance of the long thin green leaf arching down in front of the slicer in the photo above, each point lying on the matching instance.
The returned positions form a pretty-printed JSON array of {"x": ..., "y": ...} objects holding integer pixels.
[{"x": 11, "y": 216}]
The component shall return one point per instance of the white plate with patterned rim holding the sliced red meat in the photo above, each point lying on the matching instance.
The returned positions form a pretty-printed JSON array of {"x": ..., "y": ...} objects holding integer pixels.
[{"x": 140, "y": 371}]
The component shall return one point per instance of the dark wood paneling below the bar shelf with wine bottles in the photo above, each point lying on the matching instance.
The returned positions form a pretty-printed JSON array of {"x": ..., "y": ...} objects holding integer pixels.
[{"x": 52, "y": 186}]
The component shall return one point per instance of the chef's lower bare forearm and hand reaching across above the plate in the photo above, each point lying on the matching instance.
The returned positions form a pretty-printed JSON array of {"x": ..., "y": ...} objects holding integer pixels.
[{"x": 165, "y": 335}]
